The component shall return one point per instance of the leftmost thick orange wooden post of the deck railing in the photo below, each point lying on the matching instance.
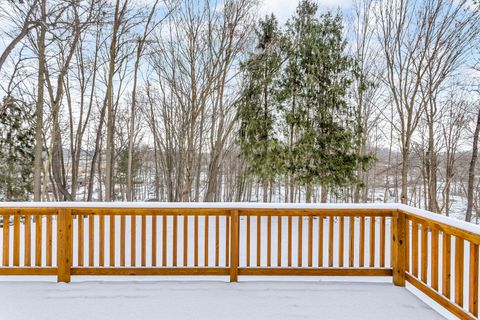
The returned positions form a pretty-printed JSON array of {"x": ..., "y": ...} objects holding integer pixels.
[{"x": 64, "y": 244}]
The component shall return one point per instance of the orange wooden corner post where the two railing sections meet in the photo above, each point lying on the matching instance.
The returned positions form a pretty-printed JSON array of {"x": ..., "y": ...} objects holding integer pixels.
[{"x": 399, "y": 249}]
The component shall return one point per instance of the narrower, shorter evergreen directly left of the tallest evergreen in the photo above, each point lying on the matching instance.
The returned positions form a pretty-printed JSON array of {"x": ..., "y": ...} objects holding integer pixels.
[{"x": 257, "y": 111}]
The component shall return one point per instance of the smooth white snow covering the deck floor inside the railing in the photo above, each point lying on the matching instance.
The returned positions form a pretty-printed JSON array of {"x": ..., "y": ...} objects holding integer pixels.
[{"x": 128, "y": 300}]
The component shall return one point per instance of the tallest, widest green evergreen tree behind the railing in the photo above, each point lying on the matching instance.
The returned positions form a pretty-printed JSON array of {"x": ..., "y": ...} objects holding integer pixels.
[{"x": 318, "y": 117}]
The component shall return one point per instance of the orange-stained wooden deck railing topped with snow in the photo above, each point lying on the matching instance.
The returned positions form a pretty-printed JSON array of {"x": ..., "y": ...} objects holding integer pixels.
[{"x": 413, "y": 246}]
